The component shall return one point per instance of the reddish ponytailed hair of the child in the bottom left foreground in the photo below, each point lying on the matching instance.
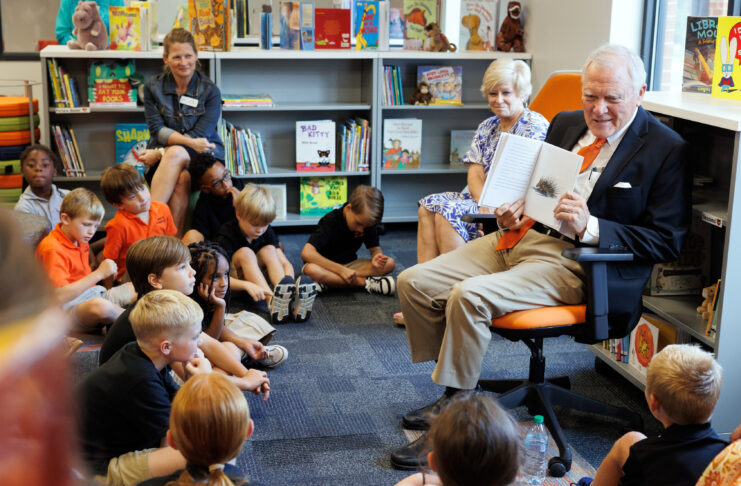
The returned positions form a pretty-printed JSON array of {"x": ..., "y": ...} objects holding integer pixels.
[{"x": 209, "y": 420}]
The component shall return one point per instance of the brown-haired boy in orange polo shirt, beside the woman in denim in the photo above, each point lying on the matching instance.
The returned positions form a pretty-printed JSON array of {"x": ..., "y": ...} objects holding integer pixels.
[{"x": 138, "y": 217}]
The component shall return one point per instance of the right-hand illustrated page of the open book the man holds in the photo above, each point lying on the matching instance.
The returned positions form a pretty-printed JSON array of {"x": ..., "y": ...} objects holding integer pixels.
[{"x": 554, "y": 175}]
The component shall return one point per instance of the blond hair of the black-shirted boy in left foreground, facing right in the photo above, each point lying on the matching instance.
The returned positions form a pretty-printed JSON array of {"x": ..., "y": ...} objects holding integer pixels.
[{"x": 164, "y": 314}]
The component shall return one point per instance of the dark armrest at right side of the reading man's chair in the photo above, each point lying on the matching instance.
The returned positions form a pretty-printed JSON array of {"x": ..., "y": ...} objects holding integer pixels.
[{"x": 595, "y": 262}]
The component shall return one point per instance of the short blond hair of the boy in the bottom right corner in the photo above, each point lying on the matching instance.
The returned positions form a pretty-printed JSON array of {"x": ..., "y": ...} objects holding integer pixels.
[{"x": 686, "y": 381}]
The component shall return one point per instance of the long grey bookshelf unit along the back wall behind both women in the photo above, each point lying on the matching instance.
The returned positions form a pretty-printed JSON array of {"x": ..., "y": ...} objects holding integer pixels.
[{"x": 304, "y": 85}]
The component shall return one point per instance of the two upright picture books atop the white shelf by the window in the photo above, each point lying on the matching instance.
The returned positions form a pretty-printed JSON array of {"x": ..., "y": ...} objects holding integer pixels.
[{"x": 711, "y": 61}]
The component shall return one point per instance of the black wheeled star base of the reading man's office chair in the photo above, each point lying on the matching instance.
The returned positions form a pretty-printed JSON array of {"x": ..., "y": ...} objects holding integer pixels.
[{"x": 540, "y": 399}]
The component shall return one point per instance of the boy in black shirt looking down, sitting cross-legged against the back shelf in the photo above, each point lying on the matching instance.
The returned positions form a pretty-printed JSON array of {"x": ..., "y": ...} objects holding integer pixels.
[{"x": 331, "y": 252}]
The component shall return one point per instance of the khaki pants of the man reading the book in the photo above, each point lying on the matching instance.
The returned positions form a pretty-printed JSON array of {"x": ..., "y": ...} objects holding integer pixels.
[{"x": 448, "y": 302}]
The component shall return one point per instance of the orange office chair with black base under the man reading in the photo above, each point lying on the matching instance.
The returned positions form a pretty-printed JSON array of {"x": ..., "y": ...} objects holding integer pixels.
[{"x": 587, "y": 323}]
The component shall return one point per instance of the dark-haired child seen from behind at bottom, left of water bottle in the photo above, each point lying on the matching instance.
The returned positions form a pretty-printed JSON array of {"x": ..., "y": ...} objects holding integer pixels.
[{"x": 474, "y": 442}]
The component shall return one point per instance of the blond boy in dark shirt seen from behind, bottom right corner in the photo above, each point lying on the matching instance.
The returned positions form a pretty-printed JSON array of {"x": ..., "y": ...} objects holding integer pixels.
[{"x": 682, "y": 388}]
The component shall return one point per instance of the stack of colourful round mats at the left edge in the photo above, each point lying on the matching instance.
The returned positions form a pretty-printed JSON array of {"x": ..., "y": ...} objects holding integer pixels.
[{"x": 15, "y": 135}]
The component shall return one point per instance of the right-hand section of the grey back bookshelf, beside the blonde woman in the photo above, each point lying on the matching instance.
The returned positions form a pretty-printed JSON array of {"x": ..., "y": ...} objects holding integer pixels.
[{"x": 403, "y": 188}]
